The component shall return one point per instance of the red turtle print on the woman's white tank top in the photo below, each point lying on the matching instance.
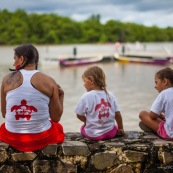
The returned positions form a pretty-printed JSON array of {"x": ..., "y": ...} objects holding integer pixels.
[{"x": 23, "y": 110}]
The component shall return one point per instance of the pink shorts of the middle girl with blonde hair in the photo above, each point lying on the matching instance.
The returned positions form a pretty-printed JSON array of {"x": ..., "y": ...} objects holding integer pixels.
[{"x": 107, "y": 135}]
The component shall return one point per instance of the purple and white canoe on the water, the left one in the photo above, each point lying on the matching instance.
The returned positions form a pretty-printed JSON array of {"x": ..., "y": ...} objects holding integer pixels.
[{"x": 67, "y": 62}]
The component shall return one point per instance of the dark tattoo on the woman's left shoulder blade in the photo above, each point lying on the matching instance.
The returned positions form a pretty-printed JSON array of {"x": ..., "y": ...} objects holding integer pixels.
[{"x": 14, "y": 78}]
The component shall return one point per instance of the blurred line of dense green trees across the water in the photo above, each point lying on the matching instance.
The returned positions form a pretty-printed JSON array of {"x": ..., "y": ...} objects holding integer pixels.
[{"x": 20, "y": 27}]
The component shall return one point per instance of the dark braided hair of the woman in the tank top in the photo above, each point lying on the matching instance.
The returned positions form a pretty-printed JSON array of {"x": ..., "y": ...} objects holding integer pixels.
[{"x": 30, "y": 54}]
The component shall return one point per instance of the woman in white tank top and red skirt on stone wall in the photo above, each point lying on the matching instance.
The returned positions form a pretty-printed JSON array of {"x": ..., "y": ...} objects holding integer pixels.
[{"x": 31, "y": 103}]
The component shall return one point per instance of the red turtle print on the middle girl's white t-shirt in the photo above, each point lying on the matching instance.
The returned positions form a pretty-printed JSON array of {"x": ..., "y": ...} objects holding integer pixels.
[{"x": 103, "y": 109}]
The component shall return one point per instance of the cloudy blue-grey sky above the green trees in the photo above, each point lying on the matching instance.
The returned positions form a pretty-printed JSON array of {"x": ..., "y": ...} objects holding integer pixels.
[{"x": 146, "y": 12}]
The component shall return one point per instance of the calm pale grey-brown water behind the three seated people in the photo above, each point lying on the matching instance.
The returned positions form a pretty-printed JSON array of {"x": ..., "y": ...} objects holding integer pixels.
[{"x": 132, "y": 84}]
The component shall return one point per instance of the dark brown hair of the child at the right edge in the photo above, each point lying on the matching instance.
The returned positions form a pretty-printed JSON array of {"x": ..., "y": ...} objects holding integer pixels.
[{"x": 165, "y": 73}]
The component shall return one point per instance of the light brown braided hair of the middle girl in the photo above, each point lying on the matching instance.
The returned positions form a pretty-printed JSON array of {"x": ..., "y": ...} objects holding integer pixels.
[{"x": 98, "y": 75}]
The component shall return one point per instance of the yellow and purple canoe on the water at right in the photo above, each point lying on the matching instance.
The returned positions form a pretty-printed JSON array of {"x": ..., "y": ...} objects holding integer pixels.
[{"x": 145, "y": 60}]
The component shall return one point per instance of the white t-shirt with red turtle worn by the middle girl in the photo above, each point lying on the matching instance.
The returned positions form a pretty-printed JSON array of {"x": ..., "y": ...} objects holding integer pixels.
[{"x": 99, "y": 109}]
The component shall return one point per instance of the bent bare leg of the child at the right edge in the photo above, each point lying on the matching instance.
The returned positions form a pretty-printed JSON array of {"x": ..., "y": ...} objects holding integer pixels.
[{"x": 153, "y": 124}]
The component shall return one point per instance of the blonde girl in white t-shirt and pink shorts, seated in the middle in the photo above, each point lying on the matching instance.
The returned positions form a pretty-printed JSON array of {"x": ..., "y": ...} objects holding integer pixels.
[{"x": 98, "y": 108}]
